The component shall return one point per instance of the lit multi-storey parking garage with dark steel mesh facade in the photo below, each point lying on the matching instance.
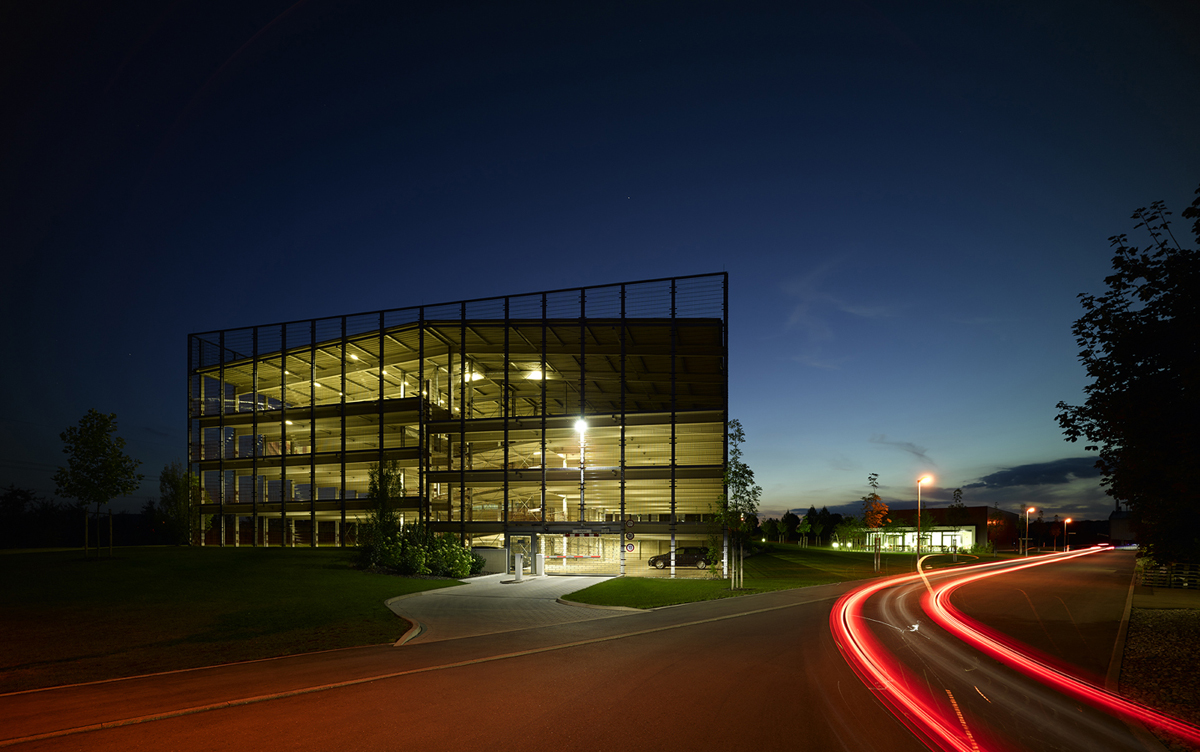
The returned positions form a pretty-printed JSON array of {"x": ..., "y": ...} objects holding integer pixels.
[{"x": 586, "y": 425}]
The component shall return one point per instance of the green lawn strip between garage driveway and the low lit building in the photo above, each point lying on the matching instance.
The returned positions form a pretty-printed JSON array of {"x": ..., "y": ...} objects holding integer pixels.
[{"x": 779, "y": 568}]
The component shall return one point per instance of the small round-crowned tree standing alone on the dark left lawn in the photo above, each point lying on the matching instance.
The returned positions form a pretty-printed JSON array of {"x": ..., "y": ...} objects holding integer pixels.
[{"x": 98, "y": 468}]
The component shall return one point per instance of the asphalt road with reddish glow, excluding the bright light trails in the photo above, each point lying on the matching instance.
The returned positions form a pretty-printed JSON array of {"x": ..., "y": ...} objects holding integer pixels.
[{"x": 754, "y": 673}]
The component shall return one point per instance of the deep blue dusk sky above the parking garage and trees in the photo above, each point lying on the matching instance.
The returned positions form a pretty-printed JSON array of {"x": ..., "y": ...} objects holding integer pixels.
[{"x": 908, "y": 197}]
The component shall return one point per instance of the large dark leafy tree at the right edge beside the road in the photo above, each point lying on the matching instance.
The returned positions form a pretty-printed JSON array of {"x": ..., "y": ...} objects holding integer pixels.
[{"x": 1139, "y": 347}]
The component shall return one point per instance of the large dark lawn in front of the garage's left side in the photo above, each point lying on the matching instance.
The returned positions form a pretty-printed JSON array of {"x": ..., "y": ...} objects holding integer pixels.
[{"x": 159, "y": 609}]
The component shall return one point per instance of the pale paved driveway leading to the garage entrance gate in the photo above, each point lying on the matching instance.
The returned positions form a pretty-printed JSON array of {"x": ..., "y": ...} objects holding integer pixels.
[{"x": 495, "y": 604}]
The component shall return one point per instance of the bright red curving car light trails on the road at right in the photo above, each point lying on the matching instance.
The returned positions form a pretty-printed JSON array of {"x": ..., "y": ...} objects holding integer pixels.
[{"x": 934, "y": 720}]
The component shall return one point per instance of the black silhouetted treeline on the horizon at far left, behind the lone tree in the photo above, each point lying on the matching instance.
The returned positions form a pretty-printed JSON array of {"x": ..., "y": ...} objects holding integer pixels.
[{"x": 32, "y": 521}]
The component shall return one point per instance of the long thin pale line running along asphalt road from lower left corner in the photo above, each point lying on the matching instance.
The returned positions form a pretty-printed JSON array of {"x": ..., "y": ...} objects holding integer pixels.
[{"x": 351, "y": 683}]
